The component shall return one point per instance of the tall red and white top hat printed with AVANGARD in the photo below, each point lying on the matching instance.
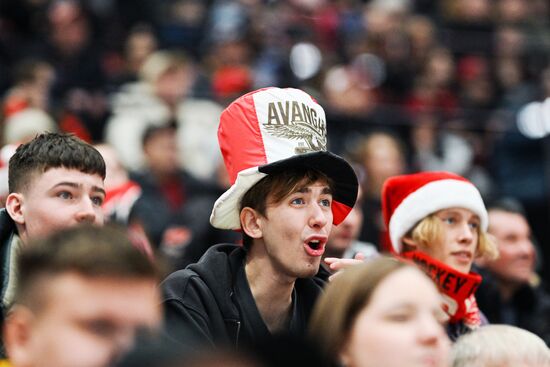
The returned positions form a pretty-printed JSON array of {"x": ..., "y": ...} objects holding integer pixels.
[{"x": 271, "y": 130}]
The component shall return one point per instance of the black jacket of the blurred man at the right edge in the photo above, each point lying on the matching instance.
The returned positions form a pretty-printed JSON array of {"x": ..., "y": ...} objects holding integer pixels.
[{"x": 529, "y": 307}]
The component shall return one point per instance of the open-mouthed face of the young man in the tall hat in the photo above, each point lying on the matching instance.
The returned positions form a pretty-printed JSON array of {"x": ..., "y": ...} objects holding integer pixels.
[{"x": 295, "y": 230}]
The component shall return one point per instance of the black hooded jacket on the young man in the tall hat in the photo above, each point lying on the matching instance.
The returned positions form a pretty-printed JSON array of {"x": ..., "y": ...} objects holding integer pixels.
[{"x": 210, "y": 302}]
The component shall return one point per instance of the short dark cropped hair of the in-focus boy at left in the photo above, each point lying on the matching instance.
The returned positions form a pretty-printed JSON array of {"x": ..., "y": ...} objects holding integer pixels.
[{"x": 52, "y": 150}]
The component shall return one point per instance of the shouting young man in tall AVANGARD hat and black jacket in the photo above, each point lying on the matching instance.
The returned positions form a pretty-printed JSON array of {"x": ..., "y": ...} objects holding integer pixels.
[{"x": 286, "y": 193}]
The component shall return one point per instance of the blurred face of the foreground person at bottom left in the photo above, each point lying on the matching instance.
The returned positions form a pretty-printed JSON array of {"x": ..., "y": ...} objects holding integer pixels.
[{"x": 87, "y": 322}]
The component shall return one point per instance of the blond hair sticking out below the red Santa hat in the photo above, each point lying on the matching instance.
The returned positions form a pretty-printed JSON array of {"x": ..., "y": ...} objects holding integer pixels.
[{"x": 429, "y": 231}]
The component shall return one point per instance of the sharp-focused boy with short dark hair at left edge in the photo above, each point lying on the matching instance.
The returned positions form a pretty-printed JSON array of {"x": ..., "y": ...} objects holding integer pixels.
[{"x": 55, "y": 181}]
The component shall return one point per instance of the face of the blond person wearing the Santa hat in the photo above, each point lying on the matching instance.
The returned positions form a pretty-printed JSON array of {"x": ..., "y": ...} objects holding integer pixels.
[{"x": 458, "y": 245}]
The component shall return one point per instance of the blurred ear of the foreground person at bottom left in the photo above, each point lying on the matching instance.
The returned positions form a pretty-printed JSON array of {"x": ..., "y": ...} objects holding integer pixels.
[{"x": 17, "y": 336}]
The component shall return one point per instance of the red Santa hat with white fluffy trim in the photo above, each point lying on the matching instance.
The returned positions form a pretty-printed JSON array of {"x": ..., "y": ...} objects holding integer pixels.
[{"x": 407, "y": 199}]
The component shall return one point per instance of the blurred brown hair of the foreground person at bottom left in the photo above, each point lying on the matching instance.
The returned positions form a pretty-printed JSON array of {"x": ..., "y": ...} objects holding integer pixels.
[{"x": 87, "y": 250}]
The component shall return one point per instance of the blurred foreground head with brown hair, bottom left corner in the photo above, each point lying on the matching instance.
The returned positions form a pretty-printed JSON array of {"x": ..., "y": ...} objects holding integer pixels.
[{"x": 82, "y": 295}]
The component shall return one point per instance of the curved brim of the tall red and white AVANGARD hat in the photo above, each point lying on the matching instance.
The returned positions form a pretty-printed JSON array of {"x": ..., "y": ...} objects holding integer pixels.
[{"x": 225, "y": 214}]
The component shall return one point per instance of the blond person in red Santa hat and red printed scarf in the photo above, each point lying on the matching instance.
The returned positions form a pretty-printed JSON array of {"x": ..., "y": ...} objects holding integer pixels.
[{"x": 439, "y": 221}]
